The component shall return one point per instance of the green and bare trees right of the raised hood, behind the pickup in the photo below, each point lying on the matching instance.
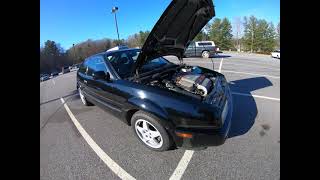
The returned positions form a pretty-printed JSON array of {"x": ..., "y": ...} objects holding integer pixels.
[{"x": 248, "y": 34}]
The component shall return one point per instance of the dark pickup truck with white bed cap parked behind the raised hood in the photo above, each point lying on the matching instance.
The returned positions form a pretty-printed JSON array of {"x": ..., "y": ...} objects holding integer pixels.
[{"x": 203, "y": 49}]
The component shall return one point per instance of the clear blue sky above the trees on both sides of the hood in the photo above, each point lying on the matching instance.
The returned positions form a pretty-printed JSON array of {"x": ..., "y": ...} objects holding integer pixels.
[{"x": 70, "y": 22}]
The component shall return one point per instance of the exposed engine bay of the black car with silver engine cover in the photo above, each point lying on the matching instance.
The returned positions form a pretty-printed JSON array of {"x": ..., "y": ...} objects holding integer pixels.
[{"x": 187, "y": 80}]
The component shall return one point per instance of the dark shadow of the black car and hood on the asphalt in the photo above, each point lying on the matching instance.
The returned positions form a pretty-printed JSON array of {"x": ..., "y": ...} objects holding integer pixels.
[{"x": 245, "y": 107}]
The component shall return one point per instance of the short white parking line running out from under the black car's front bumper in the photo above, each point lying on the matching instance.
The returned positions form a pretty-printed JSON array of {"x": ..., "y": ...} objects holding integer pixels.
[{"x": 182, "y": 166}]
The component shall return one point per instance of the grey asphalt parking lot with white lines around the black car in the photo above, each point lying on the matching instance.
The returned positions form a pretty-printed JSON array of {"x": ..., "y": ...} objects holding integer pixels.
[{"x": 102, "y": 147}]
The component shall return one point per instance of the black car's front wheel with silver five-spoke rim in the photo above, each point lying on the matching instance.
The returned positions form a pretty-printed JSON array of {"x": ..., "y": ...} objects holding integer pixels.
[{"x": 154, "y": 137}]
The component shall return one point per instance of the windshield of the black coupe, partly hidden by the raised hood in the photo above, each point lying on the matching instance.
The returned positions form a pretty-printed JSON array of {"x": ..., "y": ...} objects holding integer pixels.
[{"x": 123, "y": 62}]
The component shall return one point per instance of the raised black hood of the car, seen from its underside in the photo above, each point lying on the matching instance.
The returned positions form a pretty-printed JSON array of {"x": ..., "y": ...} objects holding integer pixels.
[{"x": 178, "y": 25}]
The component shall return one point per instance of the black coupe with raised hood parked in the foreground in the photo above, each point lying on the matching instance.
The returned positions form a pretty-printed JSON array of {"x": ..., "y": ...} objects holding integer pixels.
[{"x": 167, "y": 105}]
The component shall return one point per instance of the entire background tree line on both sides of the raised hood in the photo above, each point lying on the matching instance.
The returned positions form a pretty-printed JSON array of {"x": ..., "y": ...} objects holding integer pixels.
[{"x": 248, "y": 34}]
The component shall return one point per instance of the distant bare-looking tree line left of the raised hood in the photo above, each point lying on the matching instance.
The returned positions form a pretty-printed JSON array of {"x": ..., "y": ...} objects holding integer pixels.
[{"x": 53, "y": 57}]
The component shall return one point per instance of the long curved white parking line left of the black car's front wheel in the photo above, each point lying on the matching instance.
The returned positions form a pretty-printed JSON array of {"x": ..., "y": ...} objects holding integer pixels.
[{"x": 103, "y": 156}]
